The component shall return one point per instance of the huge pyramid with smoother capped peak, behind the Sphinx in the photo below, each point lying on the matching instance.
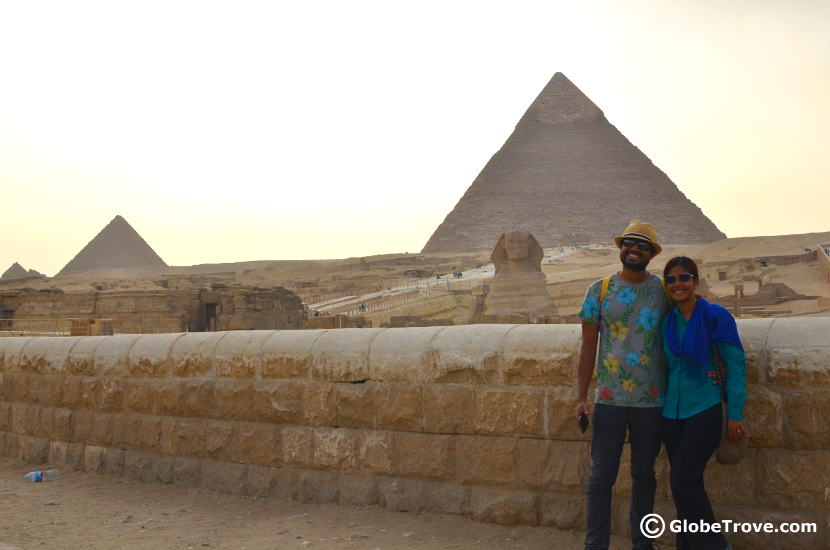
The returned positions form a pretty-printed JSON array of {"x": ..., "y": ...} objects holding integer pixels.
[{"x": 569, "y": 177}]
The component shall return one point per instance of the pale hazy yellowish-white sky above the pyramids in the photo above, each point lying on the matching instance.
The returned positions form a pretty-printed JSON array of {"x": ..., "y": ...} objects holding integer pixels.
[{"x": 231, "y": 131}]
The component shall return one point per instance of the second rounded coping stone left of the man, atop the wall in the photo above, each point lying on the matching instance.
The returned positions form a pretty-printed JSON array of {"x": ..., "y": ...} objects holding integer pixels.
[{"x": 468, "y": 354}]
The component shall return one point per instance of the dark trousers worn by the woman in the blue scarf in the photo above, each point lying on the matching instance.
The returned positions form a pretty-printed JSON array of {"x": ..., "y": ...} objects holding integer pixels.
[{"x": 689, "y": 444}]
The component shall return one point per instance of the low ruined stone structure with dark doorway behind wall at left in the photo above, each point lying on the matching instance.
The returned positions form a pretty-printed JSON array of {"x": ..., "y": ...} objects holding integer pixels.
[{"x": 221, "y": 308}]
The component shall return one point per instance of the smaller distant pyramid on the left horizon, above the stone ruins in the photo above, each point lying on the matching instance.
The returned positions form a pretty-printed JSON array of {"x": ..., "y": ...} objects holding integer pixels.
[{"x": 117, "y": 245}]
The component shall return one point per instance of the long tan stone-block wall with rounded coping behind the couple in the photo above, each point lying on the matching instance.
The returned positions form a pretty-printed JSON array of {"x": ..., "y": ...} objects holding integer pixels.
[{"x": 471, "y": 420}]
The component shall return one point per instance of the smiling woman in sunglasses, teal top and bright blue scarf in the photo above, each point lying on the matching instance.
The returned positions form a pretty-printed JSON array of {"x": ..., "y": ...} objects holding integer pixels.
[{"x": 692, "y": 417}]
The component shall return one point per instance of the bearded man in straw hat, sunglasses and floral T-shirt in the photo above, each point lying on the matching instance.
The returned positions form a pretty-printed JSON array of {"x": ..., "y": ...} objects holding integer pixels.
[{"x": 622, "y": 313}]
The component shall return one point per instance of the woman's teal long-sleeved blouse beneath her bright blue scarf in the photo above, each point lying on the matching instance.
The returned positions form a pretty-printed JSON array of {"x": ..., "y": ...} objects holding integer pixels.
[{"x": 686, "y": 396}]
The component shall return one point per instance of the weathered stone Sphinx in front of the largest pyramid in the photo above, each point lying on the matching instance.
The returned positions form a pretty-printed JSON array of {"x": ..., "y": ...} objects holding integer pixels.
[{"x": 519, "y": 286}]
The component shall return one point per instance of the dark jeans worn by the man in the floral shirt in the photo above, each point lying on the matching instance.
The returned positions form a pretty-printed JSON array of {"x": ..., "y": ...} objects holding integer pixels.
[{"x": 610, "y": 426}]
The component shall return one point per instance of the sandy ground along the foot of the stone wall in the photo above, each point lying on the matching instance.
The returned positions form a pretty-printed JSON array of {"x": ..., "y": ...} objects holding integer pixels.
[{"x": 83, "y": 510}]
